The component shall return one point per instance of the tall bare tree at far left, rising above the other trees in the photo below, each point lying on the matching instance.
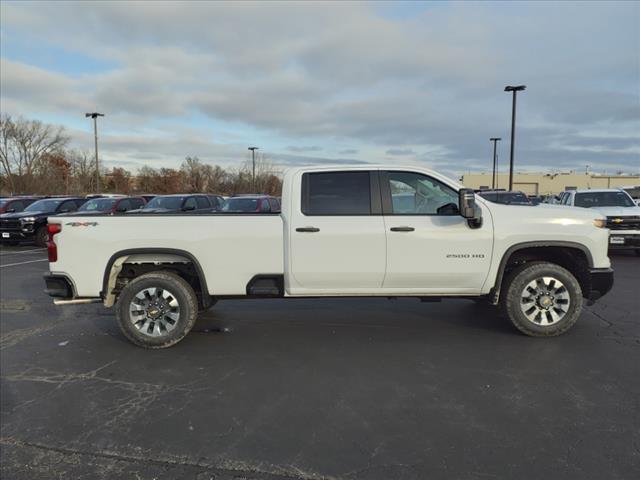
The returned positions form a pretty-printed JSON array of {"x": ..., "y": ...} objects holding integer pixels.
[{"x": 24, "y": 146}]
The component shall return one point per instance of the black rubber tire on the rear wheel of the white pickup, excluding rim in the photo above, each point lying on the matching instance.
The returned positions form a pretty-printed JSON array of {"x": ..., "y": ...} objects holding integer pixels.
[{"x": 179, "y": 289}]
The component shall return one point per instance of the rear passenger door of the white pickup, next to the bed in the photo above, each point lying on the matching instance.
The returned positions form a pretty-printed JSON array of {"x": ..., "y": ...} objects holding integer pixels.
[{"x": 336, "y": 233}]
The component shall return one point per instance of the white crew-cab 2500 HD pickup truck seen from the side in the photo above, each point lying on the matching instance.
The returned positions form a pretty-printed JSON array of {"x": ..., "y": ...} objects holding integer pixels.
[{"x": 370, "y": 231}]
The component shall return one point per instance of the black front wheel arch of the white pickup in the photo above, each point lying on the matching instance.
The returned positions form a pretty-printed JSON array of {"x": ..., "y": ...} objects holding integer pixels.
[{"x": 573, "y": 256}]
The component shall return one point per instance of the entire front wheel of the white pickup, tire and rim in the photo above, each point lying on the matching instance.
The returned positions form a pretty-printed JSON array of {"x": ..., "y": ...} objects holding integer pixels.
[{"x": 542, "y": 299}]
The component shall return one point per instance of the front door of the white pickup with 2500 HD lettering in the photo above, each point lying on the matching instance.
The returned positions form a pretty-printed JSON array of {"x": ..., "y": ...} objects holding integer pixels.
[{"x": 430, "y": 247}]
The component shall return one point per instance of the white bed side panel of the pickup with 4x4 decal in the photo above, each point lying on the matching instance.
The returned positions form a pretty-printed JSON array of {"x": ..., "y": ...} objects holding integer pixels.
[{"x": 230, "y": 248}]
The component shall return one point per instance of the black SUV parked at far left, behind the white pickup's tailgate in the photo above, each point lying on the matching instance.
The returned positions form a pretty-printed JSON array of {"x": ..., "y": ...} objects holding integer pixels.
[{"x": 31, "y": 223}]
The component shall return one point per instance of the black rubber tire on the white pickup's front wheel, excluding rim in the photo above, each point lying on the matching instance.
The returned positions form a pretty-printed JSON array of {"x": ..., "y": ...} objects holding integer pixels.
[{"x": 513, "y": 303}]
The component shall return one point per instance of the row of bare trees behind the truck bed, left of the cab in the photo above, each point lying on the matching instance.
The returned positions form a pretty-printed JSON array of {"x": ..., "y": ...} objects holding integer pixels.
[{"x": 35, "y": 159}]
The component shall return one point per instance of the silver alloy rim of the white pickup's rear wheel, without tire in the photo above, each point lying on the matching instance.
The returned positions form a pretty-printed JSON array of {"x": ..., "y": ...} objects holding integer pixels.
[{"x": 154, "y": 311}]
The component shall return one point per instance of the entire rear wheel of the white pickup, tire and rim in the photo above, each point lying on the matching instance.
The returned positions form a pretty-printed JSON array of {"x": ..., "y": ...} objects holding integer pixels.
[{"x": 157, "y": 309}]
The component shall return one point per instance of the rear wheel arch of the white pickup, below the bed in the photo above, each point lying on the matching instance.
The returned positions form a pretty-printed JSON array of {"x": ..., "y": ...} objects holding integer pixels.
[{"x": 159, "y": 256}]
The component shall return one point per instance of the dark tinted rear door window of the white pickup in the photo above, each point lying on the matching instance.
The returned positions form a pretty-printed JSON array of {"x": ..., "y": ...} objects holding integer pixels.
[{"x": 336, "y": 193}]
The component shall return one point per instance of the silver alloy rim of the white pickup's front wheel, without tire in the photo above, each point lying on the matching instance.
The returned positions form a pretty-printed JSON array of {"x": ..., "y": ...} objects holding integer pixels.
[{"x": 545, "y": 301}]
